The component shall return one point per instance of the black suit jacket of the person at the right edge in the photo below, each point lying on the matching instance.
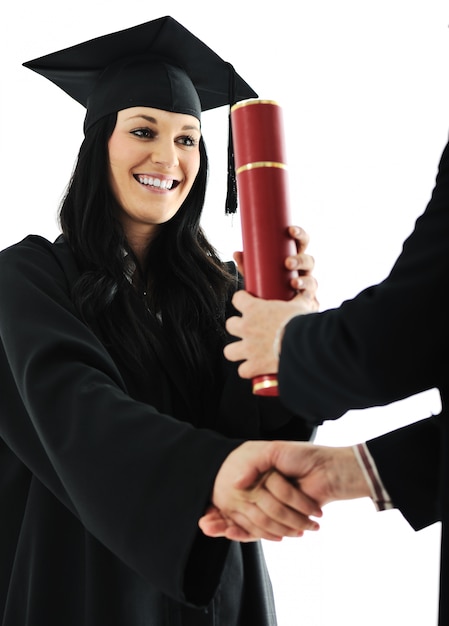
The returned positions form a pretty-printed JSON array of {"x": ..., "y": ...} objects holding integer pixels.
[{"x": 389, "y": 342}]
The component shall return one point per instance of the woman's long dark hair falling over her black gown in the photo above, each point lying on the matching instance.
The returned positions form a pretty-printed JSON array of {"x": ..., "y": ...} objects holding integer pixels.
[{"x": 184, "y": 282}]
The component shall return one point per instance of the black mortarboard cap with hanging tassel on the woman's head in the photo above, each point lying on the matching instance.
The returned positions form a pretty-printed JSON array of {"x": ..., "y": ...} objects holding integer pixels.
[{"x": 158, "y": 64}]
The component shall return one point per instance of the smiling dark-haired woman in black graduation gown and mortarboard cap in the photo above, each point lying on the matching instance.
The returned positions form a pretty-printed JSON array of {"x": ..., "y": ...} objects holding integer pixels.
[{"x": 117, "y": 407}]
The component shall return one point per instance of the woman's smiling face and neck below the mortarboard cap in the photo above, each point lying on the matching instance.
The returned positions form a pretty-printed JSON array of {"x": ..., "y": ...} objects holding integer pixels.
[{"x": 154, "y": 159}]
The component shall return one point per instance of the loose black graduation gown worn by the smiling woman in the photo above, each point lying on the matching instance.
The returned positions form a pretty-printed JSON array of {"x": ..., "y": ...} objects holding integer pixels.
[{"x": 101, "y": 487}]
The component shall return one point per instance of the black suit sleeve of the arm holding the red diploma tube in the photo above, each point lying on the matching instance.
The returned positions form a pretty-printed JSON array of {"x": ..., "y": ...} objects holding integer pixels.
[{"x": 389, "y": 342}]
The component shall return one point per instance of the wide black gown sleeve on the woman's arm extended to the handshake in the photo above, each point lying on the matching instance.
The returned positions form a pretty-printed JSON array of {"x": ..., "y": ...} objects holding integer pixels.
[{"x": 137, "y": 480}]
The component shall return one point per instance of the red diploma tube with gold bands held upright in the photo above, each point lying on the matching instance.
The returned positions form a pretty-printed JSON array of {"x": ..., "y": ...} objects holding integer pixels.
[{"x": 261, "y": 174}]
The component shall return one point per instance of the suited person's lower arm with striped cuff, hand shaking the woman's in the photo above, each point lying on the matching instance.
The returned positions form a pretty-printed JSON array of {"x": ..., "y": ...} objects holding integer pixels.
[{"x": 399, "y": 469}]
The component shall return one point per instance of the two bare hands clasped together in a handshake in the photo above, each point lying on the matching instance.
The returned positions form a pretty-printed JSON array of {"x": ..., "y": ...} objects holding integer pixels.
[{"x": 273, "y": 489}]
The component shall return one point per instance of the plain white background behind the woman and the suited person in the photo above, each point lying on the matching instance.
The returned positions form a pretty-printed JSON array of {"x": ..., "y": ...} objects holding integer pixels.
[{"x": 365, "y": 92}]
